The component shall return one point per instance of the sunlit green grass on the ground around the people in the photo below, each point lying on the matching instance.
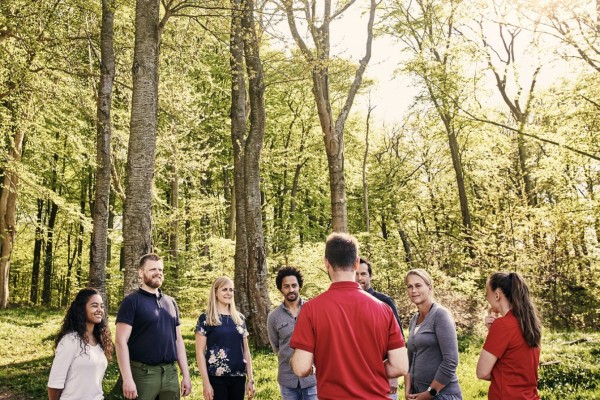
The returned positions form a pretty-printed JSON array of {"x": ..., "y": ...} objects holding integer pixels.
[{"x": 26, "y": 352}]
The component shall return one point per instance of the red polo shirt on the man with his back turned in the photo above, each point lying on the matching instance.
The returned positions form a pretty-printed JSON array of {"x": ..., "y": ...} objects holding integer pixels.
[{"x": 349, "y": 333}]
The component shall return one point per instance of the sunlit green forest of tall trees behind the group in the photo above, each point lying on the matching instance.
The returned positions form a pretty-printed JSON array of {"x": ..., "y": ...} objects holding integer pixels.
[{"x": 232, "y": 137}]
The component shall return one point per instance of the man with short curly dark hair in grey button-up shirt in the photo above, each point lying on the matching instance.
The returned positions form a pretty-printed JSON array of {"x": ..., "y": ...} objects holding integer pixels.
[{"x": 281, "y": 323}]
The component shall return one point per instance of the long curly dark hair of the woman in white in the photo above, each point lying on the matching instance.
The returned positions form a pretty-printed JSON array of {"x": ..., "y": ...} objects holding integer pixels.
[{"x": 75, "y": 321}]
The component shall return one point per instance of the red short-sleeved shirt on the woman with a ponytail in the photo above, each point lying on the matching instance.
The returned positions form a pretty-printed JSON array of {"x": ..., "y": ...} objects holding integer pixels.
[{"x": 514, "y": 375}]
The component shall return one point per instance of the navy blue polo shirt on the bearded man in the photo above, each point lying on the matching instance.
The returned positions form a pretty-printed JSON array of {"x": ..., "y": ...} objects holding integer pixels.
[{"x": 154, "y": 321}]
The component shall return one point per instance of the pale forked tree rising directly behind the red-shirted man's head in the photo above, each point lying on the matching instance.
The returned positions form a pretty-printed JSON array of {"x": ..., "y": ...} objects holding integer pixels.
[{"x": 319, "y": 60}]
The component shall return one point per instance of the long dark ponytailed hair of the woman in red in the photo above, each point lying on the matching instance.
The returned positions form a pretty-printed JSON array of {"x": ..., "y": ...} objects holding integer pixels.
[{"x": 517, "y": 293}]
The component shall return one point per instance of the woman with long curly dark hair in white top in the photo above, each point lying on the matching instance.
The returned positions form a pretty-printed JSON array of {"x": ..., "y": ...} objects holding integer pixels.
[{"x": 83, "y": 348}]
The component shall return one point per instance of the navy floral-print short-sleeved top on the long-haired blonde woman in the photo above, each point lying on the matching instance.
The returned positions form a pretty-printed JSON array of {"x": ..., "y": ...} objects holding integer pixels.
[{"x": 224, "y": 346}]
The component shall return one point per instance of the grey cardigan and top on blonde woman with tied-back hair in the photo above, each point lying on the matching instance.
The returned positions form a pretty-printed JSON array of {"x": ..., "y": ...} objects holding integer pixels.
[{"x": 433, "y": 351}]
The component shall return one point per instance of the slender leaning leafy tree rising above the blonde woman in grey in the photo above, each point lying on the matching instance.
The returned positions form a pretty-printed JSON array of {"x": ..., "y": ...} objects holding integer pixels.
[{"x": 428, "y": 28}]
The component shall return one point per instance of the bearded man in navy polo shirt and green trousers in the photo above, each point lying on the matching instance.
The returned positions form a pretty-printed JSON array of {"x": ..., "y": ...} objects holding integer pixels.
[{"x": 148, "y": 339}]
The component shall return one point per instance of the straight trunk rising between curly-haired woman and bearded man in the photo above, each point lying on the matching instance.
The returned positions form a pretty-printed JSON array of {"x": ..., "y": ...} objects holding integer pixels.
[{"x": 99, "y": 245}]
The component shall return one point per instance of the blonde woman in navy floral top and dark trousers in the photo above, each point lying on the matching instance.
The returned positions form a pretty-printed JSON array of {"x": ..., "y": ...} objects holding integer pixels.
[{"x": 222, "y": 350}]
